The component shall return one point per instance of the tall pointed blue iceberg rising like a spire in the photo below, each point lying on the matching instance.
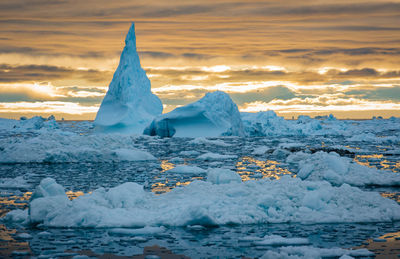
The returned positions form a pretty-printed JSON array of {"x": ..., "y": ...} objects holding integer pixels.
[{"x": 129, "y": 104}]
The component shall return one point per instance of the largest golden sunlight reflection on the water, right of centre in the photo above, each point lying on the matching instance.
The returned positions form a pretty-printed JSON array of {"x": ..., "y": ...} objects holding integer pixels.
[{"x": 268, "y": 168}]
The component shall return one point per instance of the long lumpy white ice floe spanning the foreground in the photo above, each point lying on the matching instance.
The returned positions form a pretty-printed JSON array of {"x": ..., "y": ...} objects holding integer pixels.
[{"x": 203, "y": 203}]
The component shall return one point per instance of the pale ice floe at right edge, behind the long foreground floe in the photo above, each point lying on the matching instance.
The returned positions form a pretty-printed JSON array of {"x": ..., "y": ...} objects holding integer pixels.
[{"x": 339, "y": 170}]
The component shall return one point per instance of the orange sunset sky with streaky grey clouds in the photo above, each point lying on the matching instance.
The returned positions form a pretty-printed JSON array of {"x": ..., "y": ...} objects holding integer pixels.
[{"x": 293, "y": 57}]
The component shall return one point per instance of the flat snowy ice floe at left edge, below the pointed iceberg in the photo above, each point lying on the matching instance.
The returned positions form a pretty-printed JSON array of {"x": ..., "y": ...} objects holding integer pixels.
[{"x": 65, "y": 148}]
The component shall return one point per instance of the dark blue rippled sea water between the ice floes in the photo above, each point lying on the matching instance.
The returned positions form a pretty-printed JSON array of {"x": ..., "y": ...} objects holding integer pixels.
[{"x": 19, "y": 180}]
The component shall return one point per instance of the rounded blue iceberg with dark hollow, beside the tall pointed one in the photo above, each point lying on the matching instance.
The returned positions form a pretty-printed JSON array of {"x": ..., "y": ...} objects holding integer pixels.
[{"x": 213, "y": 115}]
